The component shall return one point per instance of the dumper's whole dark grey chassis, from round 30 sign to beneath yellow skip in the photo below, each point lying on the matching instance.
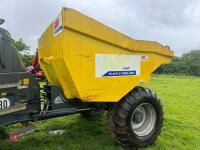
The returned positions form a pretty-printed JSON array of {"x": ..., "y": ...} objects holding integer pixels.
[{"x": 22, "y": 99}]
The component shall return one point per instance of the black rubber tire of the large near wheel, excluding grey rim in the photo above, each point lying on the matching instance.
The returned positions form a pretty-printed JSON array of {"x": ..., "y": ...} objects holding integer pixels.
[{"x": 119, "y": 118}]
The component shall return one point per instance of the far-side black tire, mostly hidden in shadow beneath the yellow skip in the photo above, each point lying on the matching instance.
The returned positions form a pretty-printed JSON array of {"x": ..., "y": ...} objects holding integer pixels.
[{"x": 92, "y": 114}]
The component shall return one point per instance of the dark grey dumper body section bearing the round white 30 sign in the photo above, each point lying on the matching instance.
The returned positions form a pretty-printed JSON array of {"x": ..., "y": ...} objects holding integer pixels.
[{"x": 19, "y": 97}]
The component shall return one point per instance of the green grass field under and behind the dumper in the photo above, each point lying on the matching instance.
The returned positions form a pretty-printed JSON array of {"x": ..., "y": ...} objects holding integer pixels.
[{"x": 181, "y": 99}]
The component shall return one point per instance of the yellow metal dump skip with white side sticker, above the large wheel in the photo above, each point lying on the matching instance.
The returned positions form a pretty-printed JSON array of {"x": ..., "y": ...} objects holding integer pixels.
[{"x": 93, "y": 62}]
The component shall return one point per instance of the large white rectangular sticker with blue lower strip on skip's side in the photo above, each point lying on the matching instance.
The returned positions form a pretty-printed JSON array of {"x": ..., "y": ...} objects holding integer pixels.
[{"x": 109, "y": 65}]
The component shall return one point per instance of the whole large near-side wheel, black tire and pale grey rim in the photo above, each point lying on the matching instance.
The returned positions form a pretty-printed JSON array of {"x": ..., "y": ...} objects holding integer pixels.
[{"x": 137, "y": 119}]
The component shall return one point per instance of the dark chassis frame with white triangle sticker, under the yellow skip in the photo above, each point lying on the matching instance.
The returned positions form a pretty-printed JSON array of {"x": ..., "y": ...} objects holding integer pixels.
[{"x": 56, "y": 104}]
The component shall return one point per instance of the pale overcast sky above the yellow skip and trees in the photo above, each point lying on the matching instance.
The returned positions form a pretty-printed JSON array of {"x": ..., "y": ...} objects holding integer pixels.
[{"x": 171, "y": 22}]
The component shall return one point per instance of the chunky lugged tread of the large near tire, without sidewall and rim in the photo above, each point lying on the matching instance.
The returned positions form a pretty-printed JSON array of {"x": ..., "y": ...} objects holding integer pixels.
[{"x": 117, "y": 117}]
